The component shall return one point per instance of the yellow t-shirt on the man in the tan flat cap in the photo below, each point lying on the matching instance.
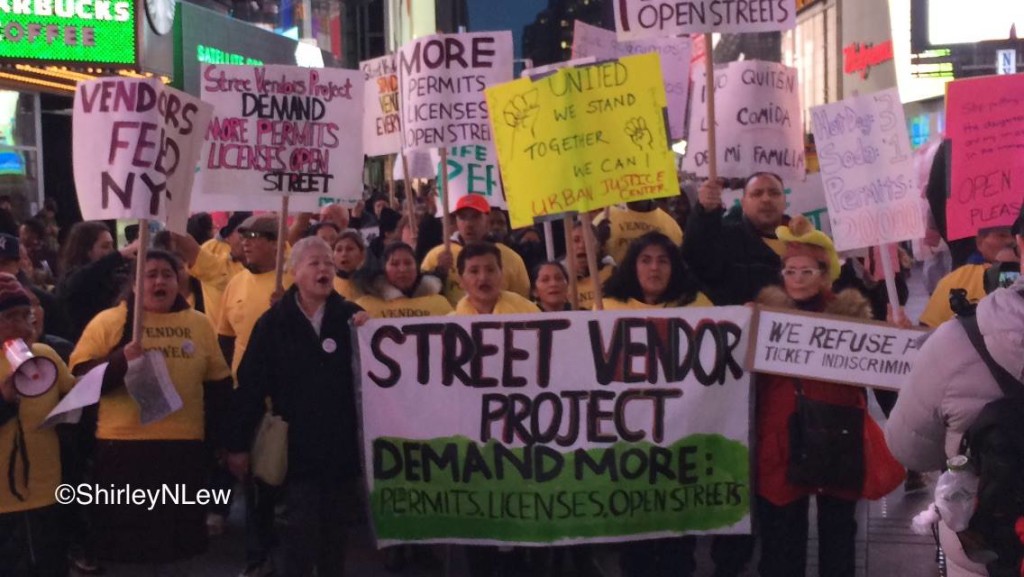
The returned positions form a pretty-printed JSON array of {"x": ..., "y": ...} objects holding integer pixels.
[{"x": 246, "y": 299}]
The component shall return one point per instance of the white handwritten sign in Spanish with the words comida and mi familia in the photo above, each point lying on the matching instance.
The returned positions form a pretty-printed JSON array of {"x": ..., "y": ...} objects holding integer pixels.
[{"x": 760, "y": 127}]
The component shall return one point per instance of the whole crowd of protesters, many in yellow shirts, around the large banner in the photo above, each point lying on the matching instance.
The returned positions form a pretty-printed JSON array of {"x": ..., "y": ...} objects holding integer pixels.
[{"x": 236, "y": 345}]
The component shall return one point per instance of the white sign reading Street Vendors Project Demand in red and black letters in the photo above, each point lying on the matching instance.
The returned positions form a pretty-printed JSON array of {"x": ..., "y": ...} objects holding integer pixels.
[{"x": 283, "y": 131}]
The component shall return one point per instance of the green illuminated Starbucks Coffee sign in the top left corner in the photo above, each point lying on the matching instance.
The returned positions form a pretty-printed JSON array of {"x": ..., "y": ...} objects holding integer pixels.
[{"x": 69, "y": 31}]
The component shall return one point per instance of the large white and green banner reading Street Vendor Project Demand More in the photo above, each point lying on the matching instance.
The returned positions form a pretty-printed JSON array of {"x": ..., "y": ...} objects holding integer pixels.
[{"x": 641, "y": 430}]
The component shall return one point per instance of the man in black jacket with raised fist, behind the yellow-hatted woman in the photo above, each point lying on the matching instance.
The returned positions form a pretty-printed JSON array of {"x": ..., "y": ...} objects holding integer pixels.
[{"x": 736, "y": 254}]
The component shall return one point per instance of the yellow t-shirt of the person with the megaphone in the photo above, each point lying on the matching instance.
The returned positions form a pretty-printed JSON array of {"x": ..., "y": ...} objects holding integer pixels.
[{"x": 42, "y": 445}]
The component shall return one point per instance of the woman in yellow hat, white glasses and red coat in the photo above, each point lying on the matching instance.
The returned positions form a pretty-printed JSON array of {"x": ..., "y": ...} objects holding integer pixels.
[{"x": 809, "y": 267}]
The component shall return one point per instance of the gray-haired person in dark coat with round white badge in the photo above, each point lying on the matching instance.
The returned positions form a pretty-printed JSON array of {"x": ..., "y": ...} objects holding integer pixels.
[{"x": 300, "y": 356}]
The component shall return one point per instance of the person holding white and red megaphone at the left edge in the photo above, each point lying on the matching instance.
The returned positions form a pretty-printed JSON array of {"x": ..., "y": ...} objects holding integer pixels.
[{"x": 32, "y": 382}]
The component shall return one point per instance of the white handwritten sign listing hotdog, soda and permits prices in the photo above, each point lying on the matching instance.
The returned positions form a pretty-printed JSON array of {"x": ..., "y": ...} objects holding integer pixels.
[{"x": 868, "y": 171}]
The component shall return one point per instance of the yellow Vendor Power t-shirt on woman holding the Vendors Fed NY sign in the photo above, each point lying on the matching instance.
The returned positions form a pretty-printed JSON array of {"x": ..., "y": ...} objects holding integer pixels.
[{"x": 191, "y": 350}]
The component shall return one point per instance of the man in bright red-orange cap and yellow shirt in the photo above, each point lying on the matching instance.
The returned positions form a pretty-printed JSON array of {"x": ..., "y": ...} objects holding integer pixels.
[{"x": 472, "y": 221}]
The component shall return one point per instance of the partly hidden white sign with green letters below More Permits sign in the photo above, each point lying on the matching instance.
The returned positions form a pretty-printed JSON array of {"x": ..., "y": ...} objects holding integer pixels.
[{"x": 473, "y": 171}]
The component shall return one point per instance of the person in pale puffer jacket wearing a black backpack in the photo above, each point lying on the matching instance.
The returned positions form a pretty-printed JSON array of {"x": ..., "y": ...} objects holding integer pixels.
[{"x": 949, "y": 387}]
